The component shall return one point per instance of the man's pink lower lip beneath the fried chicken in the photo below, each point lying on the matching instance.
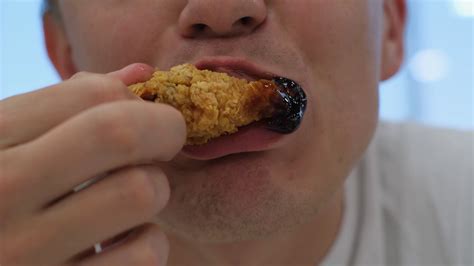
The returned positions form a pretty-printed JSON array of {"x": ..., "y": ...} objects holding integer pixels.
[{"x": 250, "y": 138}]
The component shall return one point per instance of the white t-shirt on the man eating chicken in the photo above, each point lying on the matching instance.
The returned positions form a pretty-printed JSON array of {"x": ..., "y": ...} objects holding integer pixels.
[{"x": 409, "y": 201}]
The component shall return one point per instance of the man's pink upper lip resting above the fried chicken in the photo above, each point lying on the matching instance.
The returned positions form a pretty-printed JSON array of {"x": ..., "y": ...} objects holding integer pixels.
[{"x": 233, "y": 66}]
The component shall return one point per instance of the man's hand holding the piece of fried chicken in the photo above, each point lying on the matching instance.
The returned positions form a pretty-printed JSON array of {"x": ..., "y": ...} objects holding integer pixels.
[{"x": 56, "y": 138}]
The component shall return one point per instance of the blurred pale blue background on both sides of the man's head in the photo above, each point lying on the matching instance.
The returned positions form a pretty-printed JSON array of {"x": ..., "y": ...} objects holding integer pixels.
[{"x": 435, "y": 86}]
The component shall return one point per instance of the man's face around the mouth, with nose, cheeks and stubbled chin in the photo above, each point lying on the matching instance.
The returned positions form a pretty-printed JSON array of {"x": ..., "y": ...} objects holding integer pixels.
[{"x": 332, "y": 48}]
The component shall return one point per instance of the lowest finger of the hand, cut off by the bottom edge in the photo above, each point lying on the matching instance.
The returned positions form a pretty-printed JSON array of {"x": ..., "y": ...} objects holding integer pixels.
[{"x": 147, "y": 246}]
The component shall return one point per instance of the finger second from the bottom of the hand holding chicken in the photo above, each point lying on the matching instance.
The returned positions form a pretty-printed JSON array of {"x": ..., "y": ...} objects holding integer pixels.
[{"x": 123, "y": 200}]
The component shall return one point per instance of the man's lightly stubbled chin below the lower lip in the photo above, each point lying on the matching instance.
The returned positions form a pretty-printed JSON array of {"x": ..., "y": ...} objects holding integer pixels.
[{"x": 235, "y": 198}]
